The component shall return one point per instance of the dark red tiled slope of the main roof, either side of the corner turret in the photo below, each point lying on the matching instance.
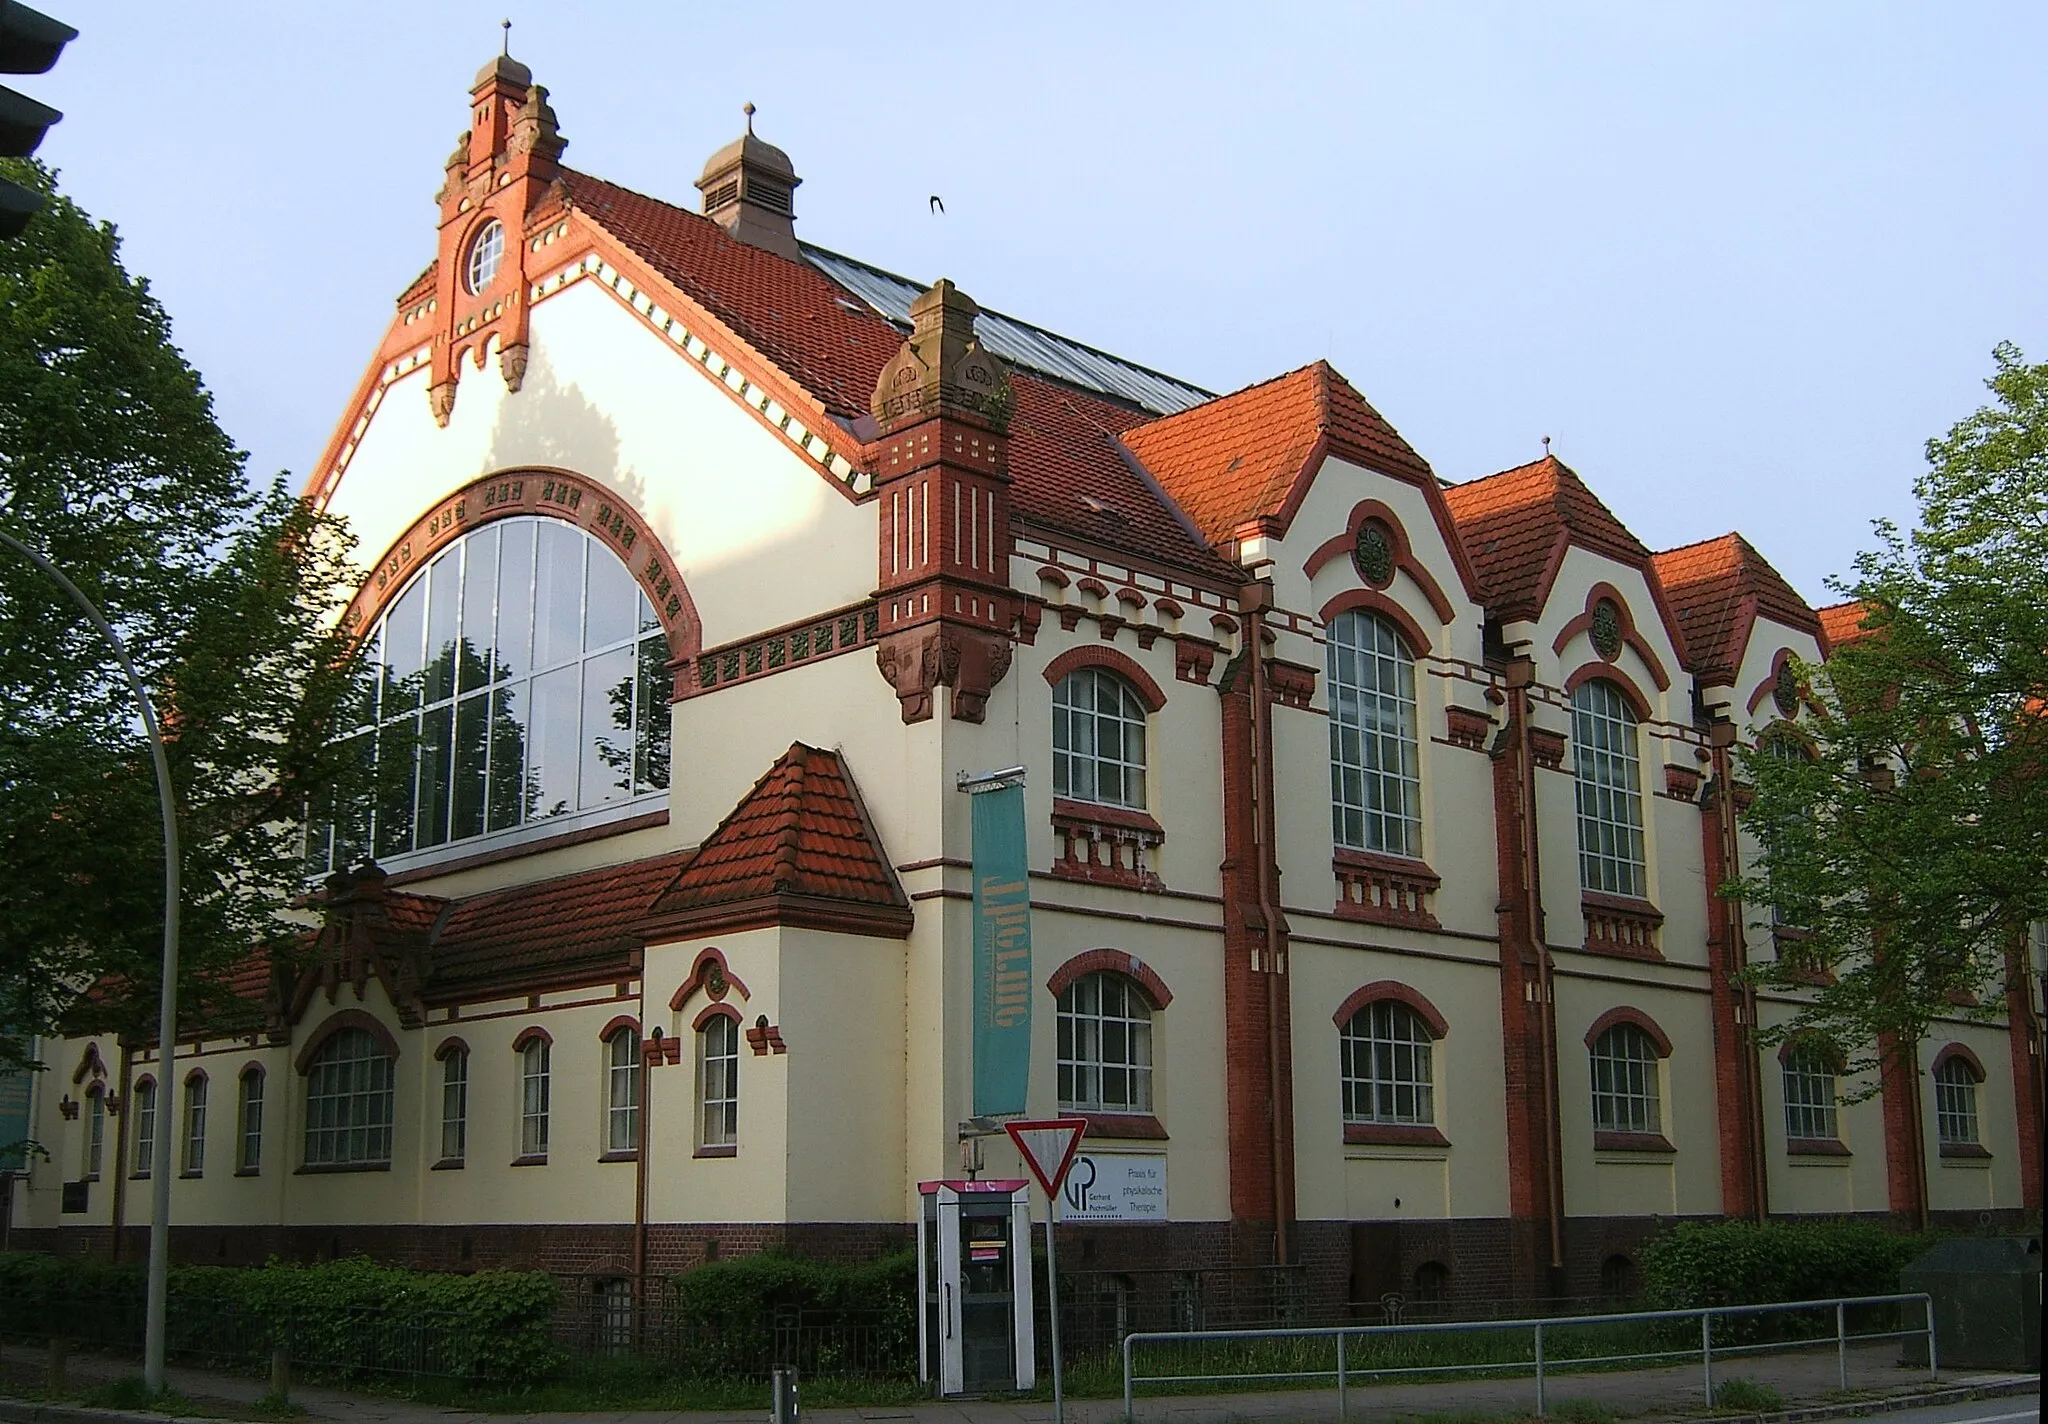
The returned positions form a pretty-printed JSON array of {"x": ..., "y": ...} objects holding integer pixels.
[{"x": 833, "y": 345}]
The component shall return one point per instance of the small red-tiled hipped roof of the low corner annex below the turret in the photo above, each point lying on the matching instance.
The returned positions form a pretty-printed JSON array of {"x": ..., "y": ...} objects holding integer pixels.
[{"x": 800, "y": 849}]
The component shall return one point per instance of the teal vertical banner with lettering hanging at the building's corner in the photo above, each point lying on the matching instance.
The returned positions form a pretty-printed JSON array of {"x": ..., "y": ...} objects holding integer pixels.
[{"x": 1002, "y": 952}]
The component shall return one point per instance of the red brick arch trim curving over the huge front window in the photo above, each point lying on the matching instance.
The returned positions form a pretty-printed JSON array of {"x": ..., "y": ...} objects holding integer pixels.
[{"x": 540, "y": 491}]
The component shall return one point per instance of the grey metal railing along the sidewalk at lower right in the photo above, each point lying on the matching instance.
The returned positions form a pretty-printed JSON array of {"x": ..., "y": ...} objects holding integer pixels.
[{"x": 1342, "y": 1370}]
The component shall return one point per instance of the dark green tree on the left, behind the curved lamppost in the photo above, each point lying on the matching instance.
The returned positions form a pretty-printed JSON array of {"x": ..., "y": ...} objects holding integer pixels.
[{"x": 228, "y": 599}]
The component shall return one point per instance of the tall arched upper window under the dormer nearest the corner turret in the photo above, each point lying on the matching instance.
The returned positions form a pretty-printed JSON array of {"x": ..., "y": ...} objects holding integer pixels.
[{"x": 1375, "y": 790}]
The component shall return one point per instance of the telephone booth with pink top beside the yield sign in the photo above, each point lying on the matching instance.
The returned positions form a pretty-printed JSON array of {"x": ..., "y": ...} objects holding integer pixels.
[{"x": 974, "y": 1275}]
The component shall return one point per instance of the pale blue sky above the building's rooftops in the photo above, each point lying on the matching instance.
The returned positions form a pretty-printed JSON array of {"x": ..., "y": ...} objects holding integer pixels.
[{"x": 1738, "y": 259}]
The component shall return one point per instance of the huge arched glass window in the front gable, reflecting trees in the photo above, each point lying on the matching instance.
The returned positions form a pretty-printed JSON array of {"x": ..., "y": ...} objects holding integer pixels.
[{"x": 523, "y": 679}]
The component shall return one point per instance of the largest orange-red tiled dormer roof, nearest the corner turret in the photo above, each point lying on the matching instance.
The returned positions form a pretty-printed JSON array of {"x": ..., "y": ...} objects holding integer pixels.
[{"x": 1244, "y": 456}]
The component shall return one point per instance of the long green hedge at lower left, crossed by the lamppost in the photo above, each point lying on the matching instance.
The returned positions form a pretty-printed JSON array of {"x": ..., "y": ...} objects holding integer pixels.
[{"x": 341, "y": 1318}]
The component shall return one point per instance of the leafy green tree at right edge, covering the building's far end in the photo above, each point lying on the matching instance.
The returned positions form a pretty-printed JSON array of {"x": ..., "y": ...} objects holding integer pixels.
[{"x": 1906, "y": 819}]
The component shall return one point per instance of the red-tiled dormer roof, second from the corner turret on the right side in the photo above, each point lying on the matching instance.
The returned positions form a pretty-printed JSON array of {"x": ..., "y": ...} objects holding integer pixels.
[{"x": 1519, "y": 523}]
